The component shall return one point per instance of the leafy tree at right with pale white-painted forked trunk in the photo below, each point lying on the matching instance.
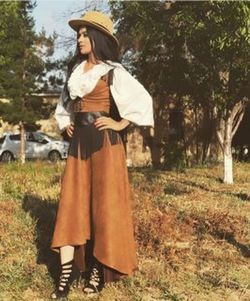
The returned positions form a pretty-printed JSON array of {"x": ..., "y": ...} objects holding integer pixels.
[{"x": 218, "y": 41}]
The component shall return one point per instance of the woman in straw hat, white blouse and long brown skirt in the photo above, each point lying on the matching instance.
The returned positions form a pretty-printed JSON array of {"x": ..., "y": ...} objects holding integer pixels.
[{"x": 94, "y": 223}]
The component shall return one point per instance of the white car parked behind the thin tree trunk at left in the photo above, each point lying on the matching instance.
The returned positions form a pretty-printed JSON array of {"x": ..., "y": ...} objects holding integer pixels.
[{"x": 37, "y": 146}]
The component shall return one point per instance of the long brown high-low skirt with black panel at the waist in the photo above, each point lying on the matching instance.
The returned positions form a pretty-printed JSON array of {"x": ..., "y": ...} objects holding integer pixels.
[{"x": 94, "y": 211}]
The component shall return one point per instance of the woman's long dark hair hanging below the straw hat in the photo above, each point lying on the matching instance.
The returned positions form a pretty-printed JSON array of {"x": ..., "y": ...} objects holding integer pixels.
[{"x": 104, "y": 48}]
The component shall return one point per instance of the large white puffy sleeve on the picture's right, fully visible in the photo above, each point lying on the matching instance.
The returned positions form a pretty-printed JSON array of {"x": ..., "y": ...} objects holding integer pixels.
[{"x": 133, "y": 101}]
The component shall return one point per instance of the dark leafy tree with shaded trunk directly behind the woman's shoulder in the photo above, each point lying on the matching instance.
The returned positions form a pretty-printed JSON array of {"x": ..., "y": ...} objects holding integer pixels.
[{"x": 155, "y": 54}]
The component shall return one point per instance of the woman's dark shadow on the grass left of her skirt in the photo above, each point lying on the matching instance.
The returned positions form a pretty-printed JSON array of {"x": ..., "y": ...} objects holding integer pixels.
[{"x": 43, "y": 212}]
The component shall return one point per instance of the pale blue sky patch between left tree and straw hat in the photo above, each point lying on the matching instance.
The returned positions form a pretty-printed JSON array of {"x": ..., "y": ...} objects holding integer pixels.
[{"x": 53, "y": 15}]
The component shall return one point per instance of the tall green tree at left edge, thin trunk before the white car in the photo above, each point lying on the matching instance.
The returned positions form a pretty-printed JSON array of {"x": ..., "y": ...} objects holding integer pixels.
[{"x": 23, "y": 64}]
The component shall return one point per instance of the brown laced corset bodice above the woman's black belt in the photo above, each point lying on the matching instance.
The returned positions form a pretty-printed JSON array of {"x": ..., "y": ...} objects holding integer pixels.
[{"x": 96, "y": 100}]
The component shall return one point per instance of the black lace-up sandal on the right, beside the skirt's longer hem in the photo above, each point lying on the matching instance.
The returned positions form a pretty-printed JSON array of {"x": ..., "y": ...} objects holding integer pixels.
[{"x": 95, "y": 281}]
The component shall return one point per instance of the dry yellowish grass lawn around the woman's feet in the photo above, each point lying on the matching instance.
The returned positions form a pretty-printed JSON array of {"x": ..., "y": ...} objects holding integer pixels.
[{"x": 192, "y": 233}]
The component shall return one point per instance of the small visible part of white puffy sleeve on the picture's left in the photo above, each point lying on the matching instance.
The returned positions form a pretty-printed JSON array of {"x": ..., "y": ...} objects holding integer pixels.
[{"x": 64, "y": 116}]
